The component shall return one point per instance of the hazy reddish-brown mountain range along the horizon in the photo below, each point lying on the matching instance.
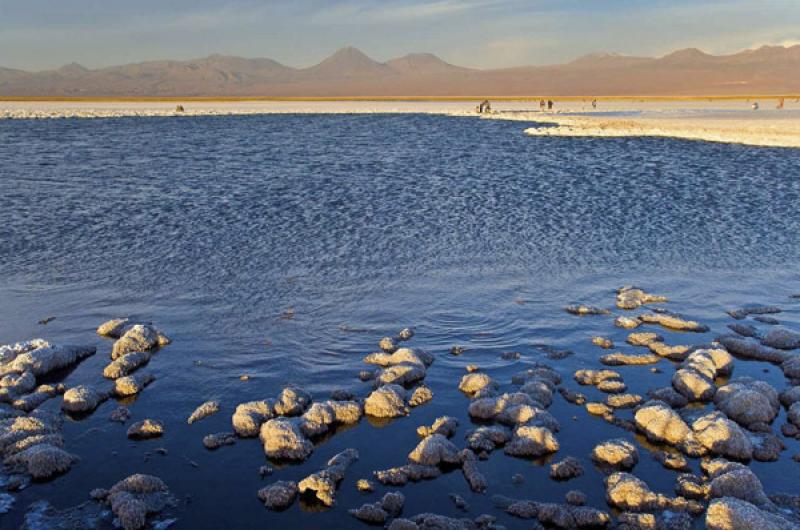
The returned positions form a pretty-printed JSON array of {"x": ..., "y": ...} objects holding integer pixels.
[{"x": 349, "y": 72}]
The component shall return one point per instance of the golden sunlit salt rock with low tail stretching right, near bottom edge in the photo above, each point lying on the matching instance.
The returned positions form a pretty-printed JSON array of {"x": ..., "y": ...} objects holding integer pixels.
[{"x": 627, "y": 492}]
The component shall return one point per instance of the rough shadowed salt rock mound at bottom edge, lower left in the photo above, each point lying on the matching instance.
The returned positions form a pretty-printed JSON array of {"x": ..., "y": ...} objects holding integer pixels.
[{"x": 137, "y": 496}]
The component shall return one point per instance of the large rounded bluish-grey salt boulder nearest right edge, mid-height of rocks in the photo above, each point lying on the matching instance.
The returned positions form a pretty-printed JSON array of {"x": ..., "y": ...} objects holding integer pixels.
[{"x": 747, "y": 401}]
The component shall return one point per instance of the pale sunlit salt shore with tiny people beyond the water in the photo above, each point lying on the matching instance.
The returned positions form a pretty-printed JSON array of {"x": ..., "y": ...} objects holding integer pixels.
[{"x": 721, "y": 119}]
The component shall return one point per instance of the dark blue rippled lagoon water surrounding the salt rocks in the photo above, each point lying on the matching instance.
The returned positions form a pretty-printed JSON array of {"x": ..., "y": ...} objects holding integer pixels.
[{"x": 467, "y": 230}]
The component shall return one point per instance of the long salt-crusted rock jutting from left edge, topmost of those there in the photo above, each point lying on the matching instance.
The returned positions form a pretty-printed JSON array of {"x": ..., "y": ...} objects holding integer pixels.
[{"x": 40, "y": 358}]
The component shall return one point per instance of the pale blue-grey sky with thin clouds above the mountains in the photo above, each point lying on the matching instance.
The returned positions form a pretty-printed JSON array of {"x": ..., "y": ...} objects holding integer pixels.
[{"x": 44, "y": 34}]
